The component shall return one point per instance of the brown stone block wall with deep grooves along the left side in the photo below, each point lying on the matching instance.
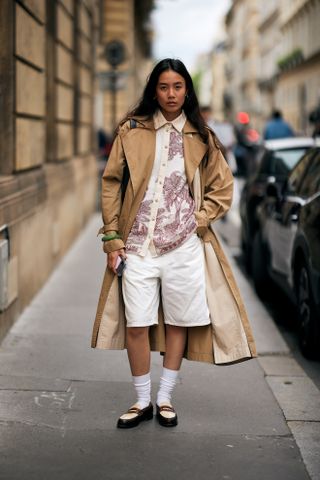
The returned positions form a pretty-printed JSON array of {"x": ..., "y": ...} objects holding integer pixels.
[{"x": 48, "y": 173}]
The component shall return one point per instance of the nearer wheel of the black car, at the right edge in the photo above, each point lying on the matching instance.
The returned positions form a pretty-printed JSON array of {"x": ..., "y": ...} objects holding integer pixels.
[{"x": 308, "y": 335}]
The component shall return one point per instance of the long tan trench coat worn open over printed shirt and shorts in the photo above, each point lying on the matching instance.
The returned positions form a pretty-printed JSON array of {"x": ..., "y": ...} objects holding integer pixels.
[{"x": 228, "y": 339}]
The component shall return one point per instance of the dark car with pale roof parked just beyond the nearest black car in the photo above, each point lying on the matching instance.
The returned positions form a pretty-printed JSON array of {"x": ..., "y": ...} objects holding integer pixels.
[{"x": 275, "y": 160}]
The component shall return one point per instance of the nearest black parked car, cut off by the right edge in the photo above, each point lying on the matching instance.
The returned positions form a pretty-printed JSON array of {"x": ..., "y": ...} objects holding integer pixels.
[{"x": 286, "y": 246}]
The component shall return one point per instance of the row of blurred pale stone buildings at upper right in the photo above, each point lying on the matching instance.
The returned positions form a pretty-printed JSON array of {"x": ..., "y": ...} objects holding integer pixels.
[{"x": 274, "y": 59}]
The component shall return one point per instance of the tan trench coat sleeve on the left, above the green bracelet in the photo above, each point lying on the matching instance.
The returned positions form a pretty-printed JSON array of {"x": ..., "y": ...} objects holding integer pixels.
[{"x": 111, "y": 194}]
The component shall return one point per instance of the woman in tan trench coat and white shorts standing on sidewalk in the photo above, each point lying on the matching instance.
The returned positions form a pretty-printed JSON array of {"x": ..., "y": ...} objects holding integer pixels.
[{"x": 156, "y": 229}]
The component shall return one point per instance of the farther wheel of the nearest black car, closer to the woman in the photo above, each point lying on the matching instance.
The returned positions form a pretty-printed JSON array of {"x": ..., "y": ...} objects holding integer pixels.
[{"x": 259, "y": 266}]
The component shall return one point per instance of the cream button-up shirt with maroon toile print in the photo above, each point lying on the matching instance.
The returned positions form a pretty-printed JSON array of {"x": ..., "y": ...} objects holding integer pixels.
[{"x": 166, "y": 215}]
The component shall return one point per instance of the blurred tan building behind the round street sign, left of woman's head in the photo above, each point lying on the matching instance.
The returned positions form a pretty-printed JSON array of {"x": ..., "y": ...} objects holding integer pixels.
[{"x": 126, "y": 21}]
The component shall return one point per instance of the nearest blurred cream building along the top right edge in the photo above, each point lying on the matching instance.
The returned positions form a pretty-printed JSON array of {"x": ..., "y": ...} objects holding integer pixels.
[{"x": 298, "y": 86}]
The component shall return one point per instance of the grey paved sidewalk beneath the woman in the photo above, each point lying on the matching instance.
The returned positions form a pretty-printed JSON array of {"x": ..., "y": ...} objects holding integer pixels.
[{"x": 60, "y": 399}]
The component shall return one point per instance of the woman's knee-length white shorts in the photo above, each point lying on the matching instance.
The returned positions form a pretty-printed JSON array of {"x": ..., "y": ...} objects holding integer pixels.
[{"x": 180, "y": 278}]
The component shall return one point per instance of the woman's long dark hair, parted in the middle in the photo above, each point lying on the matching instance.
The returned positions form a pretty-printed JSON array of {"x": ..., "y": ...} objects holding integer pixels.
[{"x": 148, "y": 104}]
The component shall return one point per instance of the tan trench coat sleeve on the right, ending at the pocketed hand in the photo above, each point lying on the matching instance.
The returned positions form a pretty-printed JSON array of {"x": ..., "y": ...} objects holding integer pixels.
[{"x": 218, "y": 188}]
